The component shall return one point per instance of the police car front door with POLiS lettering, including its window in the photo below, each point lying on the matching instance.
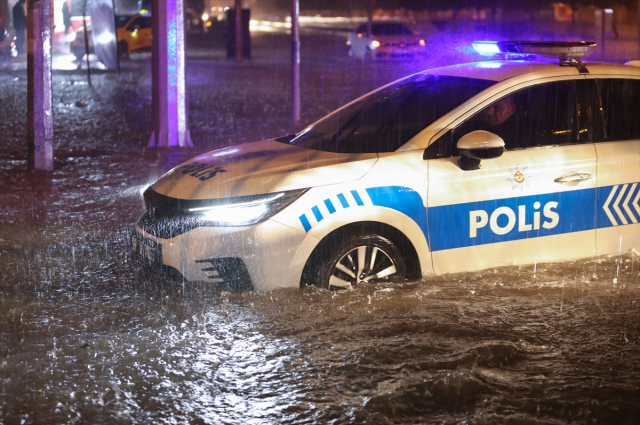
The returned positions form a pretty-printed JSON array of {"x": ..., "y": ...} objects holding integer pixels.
[{"x": 534, "y": 203}]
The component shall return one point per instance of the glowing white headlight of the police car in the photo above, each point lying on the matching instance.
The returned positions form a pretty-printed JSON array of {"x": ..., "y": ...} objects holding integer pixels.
[{"x": 244, "y": 211}]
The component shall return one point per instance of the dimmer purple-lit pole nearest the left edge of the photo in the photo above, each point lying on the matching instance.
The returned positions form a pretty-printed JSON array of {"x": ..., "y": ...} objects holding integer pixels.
[{"x": 39, "y": 107}]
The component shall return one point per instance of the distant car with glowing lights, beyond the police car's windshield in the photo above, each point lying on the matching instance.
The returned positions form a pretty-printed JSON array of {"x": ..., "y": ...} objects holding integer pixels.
[{"x": 388, "y": 40}]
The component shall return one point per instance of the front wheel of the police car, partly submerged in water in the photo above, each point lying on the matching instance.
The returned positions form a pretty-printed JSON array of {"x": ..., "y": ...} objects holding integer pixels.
[{"x": 348, "y": 262}]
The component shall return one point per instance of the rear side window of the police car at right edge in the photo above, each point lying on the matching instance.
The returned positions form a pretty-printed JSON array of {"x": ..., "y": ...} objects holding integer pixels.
[{"x": 617, "y": 102}]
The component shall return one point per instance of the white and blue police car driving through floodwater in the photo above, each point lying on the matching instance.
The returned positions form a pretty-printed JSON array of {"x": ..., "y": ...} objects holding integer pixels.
[{"x": 520, "y": 160}]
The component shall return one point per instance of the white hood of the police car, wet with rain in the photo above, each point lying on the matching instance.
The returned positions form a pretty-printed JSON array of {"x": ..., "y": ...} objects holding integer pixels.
[{"x": 260, "y": 167}]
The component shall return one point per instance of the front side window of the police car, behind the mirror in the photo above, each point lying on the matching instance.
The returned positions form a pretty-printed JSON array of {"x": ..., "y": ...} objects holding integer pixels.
[{"x": 540, "y": 115}]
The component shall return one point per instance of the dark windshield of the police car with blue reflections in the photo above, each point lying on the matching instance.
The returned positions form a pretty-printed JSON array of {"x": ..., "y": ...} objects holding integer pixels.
[{"x": 388, "y": 118}]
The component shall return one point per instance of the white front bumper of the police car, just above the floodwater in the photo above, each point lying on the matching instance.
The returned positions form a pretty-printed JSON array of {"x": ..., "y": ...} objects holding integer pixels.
[{"x": 260, "y": 257}]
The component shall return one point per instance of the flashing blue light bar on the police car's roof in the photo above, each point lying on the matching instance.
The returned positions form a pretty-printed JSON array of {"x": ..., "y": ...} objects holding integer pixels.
[{"x": 549, "y": 49}]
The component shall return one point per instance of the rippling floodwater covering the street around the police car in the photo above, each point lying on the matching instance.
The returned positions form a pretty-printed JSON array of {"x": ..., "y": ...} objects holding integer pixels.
[{"x": 88, "y": 337}]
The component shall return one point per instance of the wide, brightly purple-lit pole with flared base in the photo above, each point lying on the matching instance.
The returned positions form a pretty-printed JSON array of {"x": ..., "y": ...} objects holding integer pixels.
[{"x": 169, "y": 97}]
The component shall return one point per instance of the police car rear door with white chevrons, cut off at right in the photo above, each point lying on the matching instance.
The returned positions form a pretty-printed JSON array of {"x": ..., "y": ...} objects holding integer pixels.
[{"x": 617, "y": 102}]
